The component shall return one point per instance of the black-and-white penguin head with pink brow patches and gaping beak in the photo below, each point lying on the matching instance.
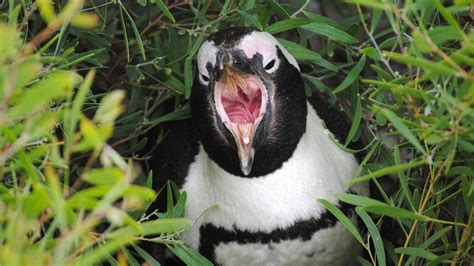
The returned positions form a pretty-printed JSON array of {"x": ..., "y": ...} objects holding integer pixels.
[{"x": 247, "y": 99}]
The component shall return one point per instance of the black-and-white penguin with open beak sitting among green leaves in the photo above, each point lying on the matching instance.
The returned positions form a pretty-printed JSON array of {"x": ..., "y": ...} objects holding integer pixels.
[{"x": 262, "y": 154}]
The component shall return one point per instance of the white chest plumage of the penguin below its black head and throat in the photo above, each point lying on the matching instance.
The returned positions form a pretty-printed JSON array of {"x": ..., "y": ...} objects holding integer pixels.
[{"x": 317, "y": 169}]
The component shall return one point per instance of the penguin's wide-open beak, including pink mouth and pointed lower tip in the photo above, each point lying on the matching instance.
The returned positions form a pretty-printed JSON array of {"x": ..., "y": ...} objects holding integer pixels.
[{"x": 240, "y": 102}]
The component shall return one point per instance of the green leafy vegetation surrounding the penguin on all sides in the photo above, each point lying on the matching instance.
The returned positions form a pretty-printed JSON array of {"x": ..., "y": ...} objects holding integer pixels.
[{"x": 83, "y": 82}]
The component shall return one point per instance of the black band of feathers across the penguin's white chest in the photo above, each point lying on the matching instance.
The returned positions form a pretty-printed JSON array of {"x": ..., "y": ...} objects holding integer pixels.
[{"x": 211, "y": 236}]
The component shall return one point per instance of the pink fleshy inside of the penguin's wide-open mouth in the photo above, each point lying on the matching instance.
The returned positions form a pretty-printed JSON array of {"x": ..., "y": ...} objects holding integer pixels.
[{"x": 242, "y": 101}]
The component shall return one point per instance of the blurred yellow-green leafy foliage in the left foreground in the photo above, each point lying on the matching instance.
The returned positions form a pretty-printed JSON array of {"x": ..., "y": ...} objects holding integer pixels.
[{"x": 54, "y": 210}]
